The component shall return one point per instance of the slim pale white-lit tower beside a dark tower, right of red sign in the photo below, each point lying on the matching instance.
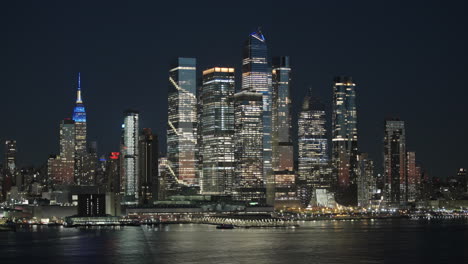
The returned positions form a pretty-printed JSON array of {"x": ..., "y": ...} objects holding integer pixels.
[{"x": 129, "y": 157}]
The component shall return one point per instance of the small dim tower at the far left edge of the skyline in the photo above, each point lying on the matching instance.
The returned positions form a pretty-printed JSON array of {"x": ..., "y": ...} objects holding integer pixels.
[{"x": 9, "y": 167}]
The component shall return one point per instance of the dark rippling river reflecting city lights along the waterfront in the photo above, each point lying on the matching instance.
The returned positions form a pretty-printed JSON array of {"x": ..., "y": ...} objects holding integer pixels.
[{"x": 379, "y": 241}]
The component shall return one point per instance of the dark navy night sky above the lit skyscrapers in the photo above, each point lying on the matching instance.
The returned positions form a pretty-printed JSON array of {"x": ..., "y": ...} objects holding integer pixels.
[{"x": 408, "y": 58}]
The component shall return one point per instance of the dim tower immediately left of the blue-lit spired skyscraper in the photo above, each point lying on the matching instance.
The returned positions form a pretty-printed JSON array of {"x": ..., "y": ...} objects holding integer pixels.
[{"x": 66, "y": 174}]
